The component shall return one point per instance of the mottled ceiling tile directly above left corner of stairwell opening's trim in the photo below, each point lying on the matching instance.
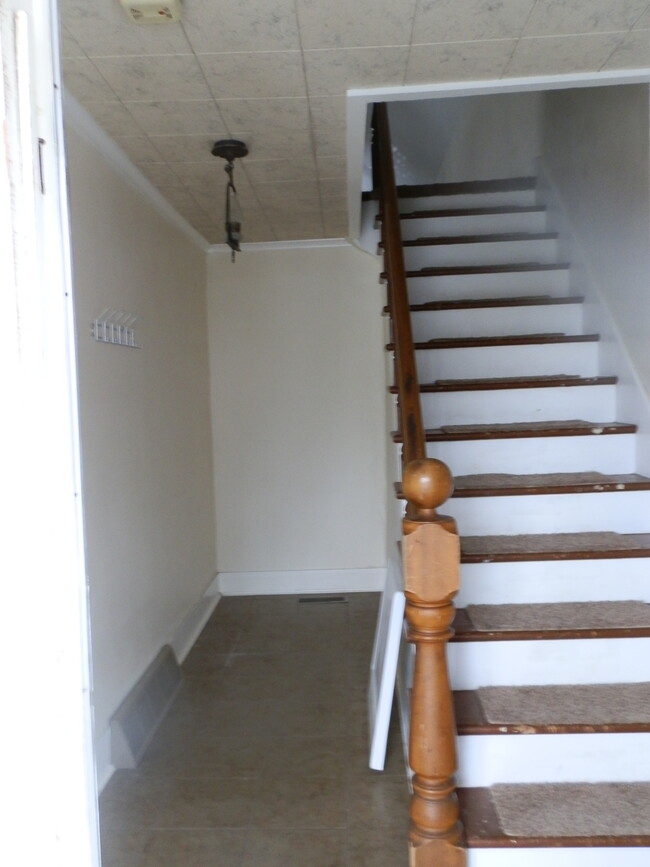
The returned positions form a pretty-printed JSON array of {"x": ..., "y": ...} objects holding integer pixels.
[{"x": 333, "y": 71}]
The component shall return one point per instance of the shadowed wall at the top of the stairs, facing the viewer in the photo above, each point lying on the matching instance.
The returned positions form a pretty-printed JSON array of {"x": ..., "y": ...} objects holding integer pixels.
[{"x": 466, "y": 138}]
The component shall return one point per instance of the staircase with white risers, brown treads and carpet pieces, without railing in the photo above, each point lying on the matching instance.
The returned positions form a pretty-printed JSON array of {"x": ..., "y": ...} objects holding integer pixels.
[{"x": 550, "y": 662}]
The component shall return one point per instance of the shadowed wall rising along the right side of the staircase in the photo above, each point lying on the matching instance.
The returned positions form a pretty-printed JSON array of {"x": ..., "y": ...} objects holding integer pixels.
[{"x": 596, "y": 148}]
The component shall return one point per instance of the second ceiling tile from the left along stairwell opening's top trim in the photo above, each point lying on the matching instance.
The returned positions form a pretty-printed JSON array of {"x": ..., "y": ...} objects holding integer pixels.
[{"x": 459, "y": 61}]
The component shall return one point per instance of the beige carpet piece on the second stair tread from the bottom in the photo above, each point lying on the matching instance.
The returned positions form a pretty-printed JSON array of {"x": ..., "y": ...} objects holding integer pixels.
[{"x": 601, "y": 704}]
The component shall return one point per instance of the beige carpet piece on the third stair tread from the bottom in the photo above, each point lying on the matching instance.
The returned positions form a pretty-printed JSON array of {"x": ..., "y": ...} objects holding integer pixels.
[{"x": 559, "y": 615}]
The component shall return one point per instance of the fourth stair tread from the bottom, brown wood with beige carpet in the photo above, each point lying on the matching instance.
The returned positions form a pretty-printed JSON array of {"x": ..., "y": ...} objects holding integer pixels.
[{"x": 554, "y": 546}]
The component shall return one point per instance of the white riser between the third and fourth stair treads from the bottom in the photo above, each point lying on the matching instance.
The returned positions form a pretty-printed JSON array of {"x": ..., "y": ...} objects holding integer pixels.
[{"x": 554, "y": 581}]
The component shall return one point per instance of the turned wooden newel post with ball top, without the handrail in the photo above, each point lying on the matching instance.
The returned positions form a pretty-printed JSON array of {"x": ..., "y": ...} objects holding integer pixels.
[{"x": 431, "y": 552}]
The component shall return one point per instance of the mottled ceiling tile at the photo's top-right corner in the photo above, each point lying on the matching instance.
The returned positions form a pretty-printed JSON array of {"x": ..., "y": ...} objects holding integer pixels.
[{"x": 555, "y": 17}]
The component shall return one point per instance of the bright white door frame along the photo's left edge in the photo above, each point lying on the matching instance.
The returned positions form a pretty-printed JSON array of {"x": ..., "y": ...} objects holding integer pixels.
[{"x": 49, "y": 802}]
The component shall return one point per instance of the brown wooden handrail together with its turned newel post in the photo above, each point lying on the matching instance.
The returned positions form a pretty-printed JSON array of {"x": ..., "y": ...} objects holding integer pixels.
[{"x": 431, "y": 556}]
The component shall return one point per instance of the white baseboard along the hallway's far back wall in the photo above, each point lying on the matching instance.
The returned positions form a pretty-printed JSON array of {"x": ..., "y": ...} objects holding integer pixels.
[{"x": 309, "y": 581}]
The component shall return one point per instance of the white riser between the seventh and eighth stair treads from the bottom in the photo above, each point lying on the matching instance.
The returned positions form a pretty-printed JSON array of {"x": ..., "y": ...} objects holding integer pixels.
[{"x": 533, "y": 359}]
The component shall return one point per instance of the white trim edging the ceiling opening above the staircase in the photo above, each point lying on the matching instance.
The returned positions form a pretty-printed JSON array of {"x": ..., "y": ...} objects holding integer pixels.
[{"x": 358, "y": 100}]
